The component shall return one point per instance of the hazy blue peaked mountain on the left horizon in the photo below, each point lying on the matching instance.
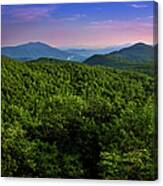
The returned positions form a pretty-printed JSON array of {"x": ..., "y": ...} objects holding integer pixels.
[{"x": 35, "y": 50}]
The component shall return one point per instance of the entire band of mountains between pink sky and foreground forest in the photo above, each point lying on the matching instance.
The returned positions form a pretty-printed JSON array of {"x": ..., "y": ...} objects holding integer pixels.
[{"x": 136, "y": 57}]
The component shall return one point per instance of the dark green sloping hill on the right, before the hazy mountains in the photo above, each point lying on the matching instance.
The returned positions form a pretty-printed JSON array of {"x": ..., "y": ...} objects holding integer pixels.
[{"x": 139, "y": 57}]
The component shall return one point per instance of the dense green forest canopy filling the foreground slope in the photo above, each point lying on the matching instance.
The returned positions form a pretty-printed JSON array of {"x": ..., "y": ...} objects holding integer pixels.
[{"x": 70, "y": 120}]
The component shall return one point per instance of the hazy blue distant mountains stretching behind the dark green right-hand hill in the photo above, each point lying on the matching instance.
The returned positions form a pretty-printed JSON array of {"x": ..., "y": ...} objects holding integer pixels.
[{"x": 35, "y": 50}]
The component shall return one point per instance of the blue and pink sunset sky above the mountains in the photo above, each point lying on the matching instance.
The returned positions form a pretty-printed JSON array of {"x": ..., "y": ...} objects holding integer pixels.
[{"x": 81, "y": 24}]
